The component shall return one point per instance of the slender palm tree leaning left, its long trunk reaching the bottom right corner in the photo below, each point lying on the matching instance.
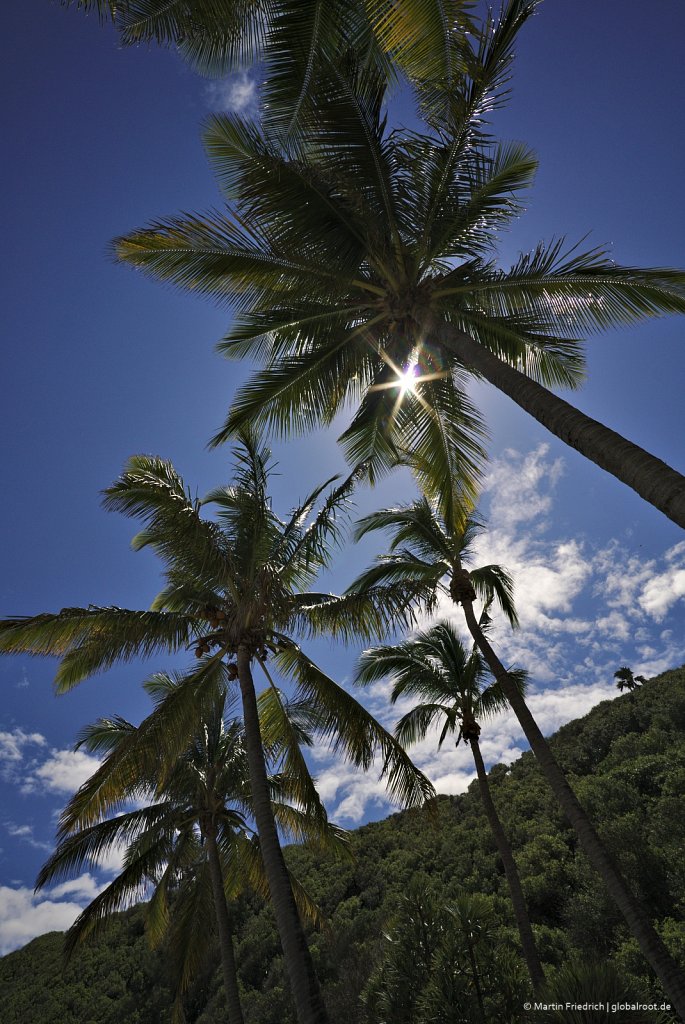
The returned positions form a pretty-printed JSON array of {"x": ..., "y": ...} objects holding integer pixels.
[{"x": 430, "y": 552}]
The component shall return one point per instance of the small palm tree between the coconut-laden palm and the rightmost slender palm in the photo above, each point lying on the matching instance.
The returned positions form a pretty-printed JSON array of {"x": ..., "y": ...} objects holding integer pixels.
[{"x": 455, "y": 691}]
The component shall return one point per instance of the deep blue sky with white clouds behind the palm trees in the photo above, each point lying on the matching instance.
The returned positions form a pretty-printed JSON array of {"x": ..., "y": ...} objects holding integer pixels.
[{"x": 100, "y": 363}]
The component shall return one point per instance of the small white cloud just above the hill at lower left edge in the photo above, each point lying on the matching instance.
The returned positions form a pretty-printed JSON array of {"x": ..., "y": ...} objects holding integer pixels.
[{"x": 25, "y": 915}]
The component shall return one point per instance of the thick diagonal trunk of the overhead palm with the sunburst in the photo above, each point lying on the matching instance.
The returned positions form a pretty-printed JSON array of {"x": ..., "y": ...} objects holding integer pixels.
[{"x": 655, "y": 481}]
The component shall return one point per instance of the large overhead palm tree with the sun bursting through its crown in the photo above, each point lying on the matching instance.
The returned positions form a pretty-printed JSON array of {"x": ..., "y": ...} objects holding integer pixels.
[{"x": 362, "y": 264}]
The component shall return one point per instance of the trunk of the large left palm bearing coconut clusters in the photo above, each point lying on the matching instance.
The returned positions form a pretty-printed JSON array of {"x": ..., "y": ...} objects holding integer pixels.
[{"x": 305, "y": 985}]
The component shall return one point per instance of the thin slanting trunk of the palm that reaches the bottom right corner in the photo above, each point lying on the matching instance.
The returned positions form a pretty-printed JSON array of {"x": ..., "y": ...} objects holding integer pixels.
[{"x": 638, "y": 921}]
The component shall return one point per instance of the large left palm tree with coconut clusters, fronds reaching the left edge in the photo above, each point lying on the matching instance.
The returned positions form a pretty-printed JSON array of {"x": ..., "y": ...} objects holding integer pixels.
[{"x": 237, "y": 594}]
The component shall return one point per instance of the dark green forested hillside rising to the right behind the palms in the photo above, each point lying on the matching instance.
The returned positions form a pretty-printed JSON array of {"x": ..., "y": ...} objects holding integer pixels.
[{"x": 415, "y": 874}]
